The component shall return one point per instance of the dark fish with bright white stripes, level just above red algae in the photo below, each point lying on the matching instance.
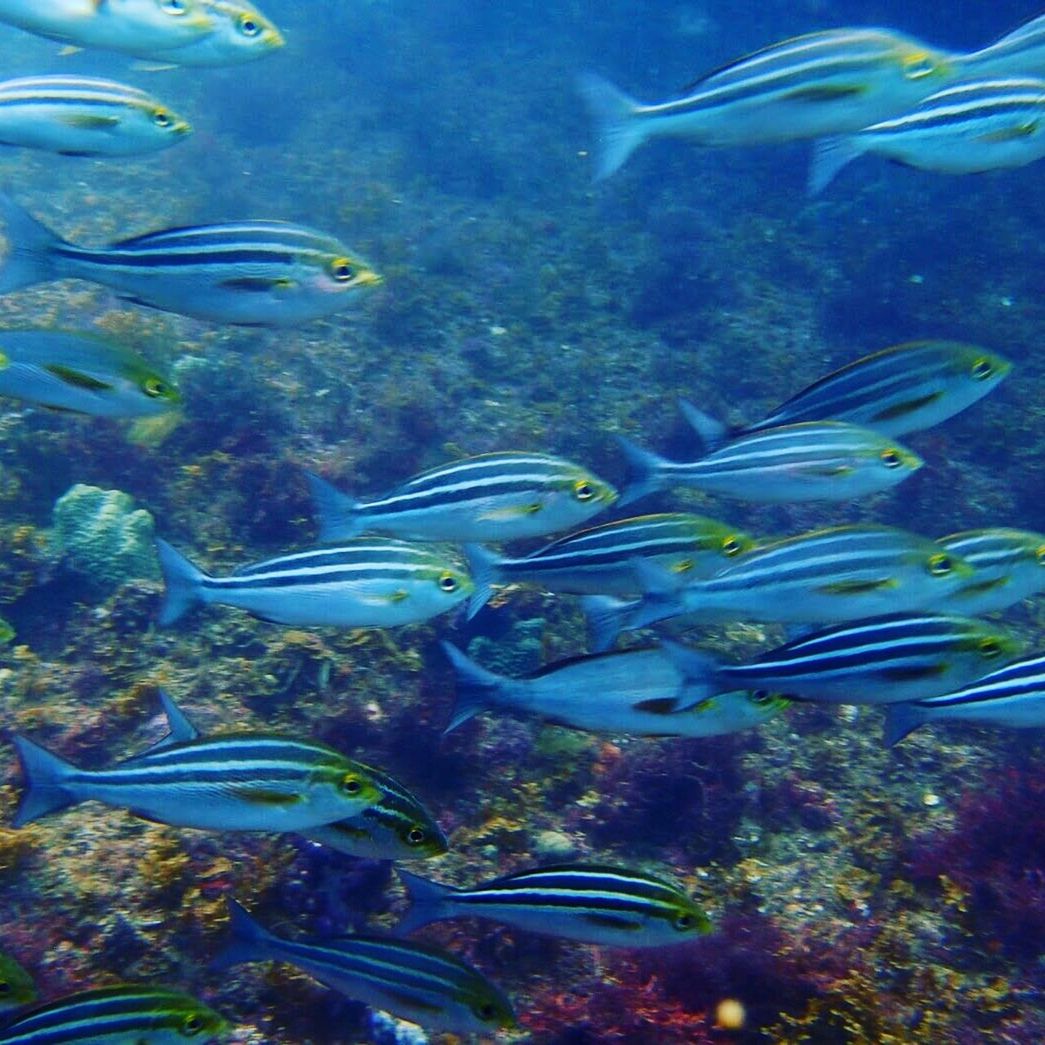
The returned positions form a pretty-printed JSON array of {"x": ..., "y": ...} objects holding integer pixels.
[{"x": 591, "y": 903}]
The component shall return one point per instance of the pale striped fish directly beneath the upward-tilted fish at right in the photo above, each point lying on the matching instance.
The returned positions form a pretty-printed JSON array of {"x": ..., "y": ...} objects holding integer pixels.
[{"x": 810, "y": 461}]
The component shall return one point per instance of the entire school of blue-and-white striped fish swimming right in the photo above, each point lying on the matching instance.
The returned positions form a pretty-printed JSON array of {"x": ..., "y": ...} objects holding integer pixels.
[{"x": 883, "y": 616}]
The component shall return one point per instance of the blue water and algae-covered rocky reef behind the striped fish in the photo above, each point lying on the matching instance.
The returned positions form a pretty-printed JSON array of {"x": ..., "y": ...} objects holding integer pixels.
[{"x": 860, "y": 894}]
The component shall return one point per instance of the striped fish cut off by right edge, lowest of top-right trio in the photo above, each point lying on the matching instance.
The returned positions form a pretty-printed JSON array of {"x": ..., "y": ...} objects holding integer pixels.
[{"x": 968, "y": 129}]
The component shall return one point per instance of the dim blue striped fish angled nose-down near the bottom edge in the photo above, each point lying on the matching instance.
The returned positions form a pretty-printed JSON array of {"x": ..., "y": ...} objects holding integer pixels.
[{"x": 417, "y": 983}]
